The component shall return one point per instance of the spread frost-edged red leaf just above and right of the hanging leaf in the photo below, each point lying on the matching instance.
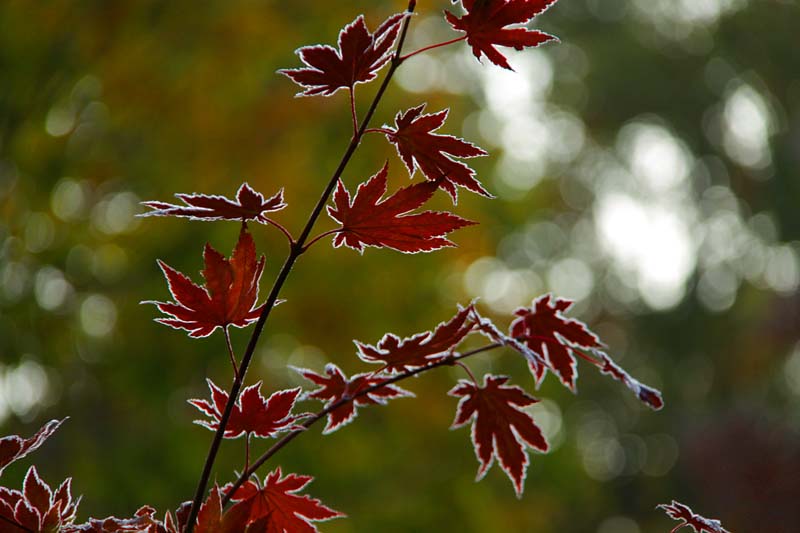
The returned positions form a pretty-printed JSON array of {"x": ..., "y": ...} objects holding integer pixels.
[{"x": 549, "y": 334}]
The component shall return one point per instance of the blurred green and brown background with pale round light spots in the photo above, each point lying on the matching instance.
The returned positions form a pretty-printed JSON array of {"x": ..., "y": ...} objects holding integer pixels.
[{"x": 646, "y": 166}]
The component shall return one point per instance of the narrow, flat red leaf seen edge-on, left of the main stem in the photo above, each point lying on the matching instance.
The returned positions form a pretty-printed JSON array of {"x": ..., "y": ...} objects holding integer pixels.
[{"x": 249, "y": 205}]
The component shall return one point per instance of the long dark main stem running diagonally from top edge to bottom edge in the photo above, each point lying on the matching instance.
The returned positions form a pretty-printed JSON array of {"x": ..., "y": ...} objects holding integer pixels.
[{"x": 295, "y": 252}]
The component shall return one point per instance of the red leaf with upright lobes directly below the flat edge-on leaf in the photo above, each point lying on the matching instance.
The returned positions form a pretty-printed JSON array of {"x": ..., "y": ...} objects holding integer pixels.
[{"x": 228, "y": 298}]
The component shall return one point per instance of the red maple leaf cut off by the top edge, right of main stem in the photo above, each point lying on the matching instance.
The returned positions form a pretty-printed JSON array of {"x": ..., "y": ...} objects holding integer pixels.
[{"x": 485, "y": 25}]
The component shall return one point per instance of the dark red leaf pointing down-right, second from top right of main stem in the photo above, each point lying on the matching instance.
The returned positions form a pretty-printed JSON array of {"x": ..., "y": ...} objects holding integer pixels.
[{"x": 419, "y": 147}]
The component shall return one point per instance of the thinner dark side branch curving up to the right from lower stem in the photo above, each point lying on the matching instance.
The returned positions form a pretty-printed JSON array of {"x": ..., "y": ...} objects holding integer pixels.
[{"x": 289, "y": 437}]
